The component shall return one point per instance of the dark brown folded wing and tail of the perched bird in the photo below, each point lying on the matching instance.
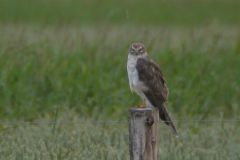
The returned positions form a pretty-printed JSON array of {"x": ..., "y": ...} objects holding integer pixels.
[{"x": 157, "y": 92}]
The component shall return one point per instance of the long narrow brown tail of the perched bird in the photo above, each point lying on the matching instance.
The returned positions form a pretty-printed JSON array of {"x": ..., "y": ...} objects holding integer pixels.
[{"x": 163, "y": 114}]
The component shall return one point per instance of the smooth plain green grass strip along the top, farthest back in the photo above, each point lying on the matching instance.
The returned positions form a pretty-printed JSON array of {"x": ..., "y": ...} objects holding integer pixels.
[{"x": 141, "y": 12}]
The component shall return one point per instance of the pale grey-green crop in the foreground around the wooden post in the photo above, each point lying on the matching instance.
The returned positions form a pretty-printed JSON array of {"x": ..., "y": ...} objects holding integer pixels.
[{"x": 110, "y": 141}]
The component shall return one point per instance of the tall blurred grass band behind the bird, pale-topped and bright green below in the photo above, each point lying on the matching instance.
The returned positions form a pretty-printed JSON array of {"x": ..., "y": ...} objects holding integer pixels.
[{"x": 85, "y": 68}]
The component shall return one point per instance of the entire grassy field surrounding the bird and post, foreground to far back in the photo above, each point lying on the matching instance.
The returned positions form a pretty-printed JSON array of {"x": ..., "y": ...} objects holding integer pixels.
[{"x": 70, "y": 58}]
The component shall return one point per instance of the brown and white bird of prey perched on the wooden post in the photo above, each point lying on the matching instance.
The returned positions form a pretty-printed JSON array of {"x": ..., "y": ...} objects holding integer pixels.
[{"x": 146, "y": 79}]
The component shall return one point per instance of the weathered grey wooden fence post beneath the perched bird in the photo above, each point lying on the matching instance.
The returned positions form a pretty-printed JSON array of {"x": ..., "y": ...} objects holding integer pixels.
[{"x": 143, "y": 134}]
